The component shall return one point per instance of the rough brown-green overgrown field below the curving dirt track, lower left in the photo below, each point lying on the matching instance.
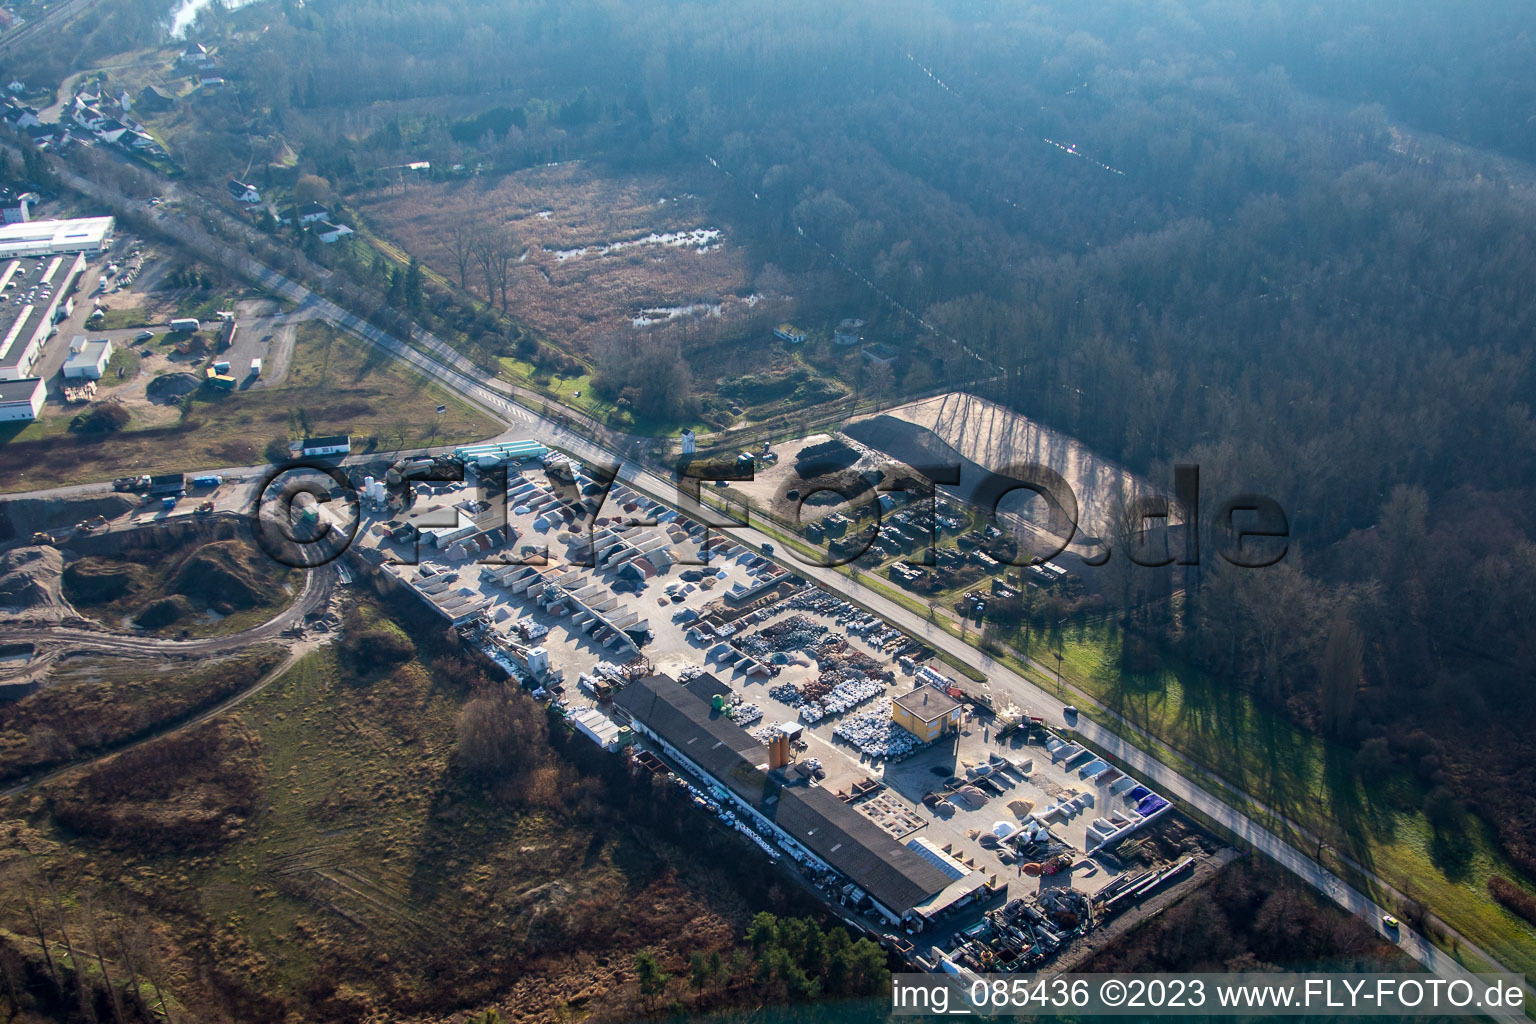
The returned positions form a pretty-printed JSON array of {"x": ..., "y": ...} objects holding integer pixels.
[{"x": 336, "y": 859}]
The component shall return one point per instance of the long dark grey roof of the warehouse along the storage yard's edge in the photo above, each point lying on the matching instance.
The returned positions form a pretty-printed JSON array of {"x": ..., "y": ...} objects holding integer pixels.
[{"x": 856, "y": 847}]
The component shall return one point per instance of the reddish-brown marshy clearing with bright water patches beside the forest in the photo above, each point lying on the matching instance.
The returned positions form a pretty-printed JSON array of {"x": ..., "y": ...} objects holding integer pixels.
[{"x": 578, "y": 300}]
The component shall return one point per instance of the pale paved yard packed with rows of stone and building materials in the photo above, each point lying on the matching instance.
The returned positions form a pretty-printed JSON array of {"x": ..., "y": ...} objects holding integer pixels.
[{"x": 554, "y": 567}]
